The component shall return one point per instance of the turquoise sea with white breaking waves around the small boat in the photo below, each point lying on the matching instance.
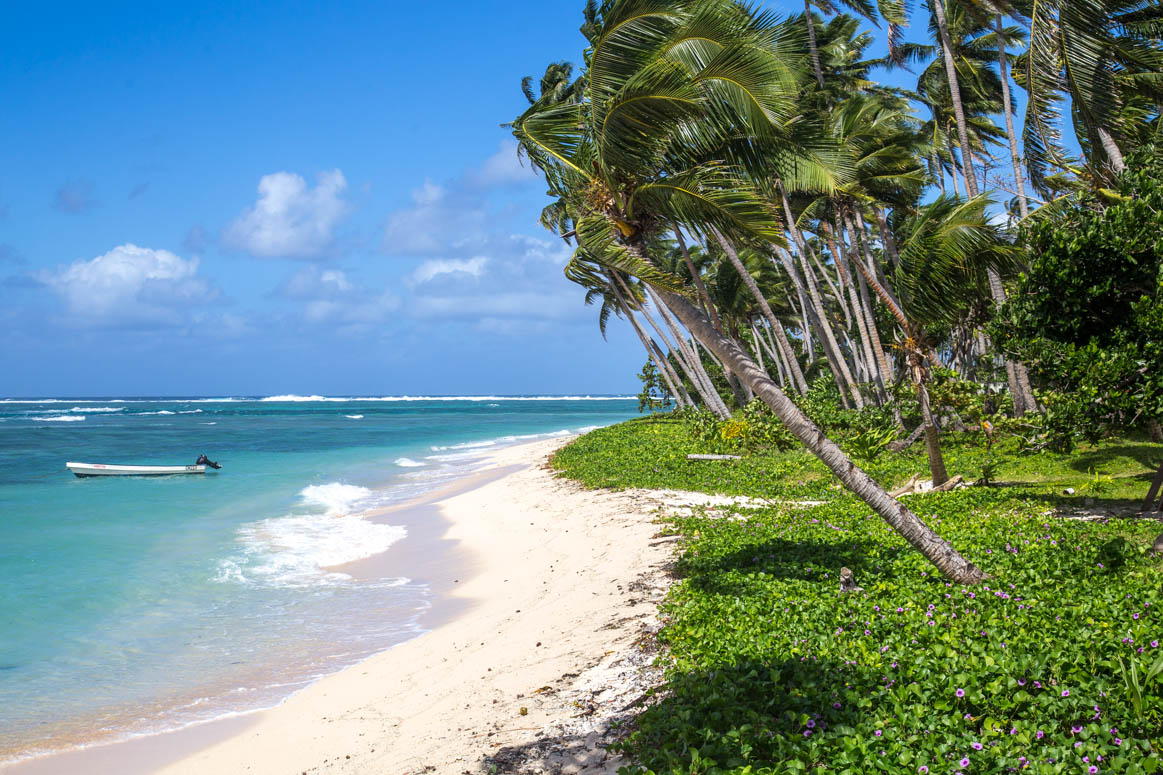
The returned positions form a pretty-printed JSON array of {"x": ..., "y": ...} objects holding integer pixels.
[{"x": 131, "y": 606}]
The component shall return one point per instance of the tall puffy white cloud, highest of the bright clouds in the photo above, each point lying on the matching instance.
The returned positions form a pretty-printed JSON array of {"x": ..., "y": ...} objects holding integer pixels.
[{"x": 290, "y": 219}]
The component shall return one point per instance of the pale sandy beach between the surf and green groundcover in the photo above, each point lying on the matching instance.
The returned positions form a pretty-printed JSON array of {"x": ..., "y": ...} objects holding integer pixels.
[{"x": 547, "y": 638}]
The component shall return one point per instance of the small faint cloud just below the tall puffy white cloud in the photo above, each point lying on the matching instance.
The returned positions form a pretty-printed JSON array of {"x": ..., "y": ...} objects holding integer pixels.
[{"x": 331, "y": 297}]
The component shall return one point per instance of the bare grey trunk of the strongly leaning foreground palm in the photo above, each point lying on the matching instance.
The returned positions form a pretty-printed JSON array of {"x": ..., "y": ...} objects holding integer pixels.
[{"x": 921, "y": 536}]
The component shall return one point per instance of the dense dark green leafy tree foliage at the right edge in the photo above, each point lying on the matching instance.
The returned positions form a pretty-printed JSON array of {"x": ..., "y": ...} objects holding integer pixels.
[{"x": 1088, "y": 315}]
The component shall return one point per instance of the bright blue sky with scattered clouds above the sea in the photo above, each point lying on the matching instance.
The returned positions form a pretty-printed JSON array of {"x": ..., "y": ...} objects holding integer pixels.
[{"x": 284, "y": 197}]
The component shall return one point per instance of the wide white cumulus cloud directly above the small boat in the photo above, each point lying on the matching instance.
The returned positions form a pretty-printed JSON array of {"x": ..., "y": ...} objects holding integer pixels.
[{"x": 132, "y": 286}]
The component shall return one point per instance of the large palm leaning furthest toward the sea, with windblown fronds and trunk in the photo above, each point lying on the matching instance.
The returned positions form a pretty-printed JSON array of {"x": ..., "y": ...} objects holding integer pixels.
[{"x": 668, "y": 86}]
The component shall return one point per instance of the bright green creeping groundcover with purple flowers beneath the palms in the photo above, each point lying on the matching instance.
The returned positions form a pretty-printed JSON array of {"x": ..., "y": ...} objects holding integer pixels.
[{"x": 773, "y": 671}]
